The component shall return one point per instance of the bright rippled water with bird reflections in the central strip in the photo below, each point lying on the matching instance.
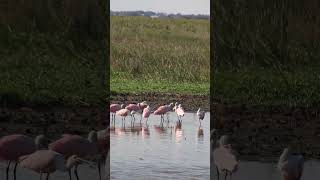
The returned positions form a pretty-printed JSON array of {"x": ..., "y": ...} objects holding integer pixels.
[{"x": 161, "y": 152}]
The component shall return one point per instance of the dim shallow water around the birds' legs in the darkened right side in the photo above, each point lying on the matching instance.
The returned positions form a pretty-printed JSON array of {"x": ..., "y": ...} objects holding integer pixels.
[{"x": 268, "y": 171}]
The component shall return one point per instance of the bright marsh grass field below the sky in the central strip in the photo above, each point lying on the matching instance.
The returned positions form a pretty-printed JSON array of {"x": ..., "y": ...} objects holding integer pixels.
[{"x": 160, "y": 55}]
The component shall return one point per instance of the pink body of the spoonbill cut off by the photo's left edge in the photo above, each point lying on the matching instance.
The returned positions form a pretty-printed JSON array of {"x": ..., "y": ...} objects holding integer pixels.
[{"x": 14, "y": 146}]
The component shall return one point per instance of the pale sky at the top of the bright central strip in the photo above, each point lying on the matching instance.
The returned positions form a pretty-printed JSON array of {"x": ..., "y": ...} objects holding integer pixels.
[{"x": 165, "y": 6}]
